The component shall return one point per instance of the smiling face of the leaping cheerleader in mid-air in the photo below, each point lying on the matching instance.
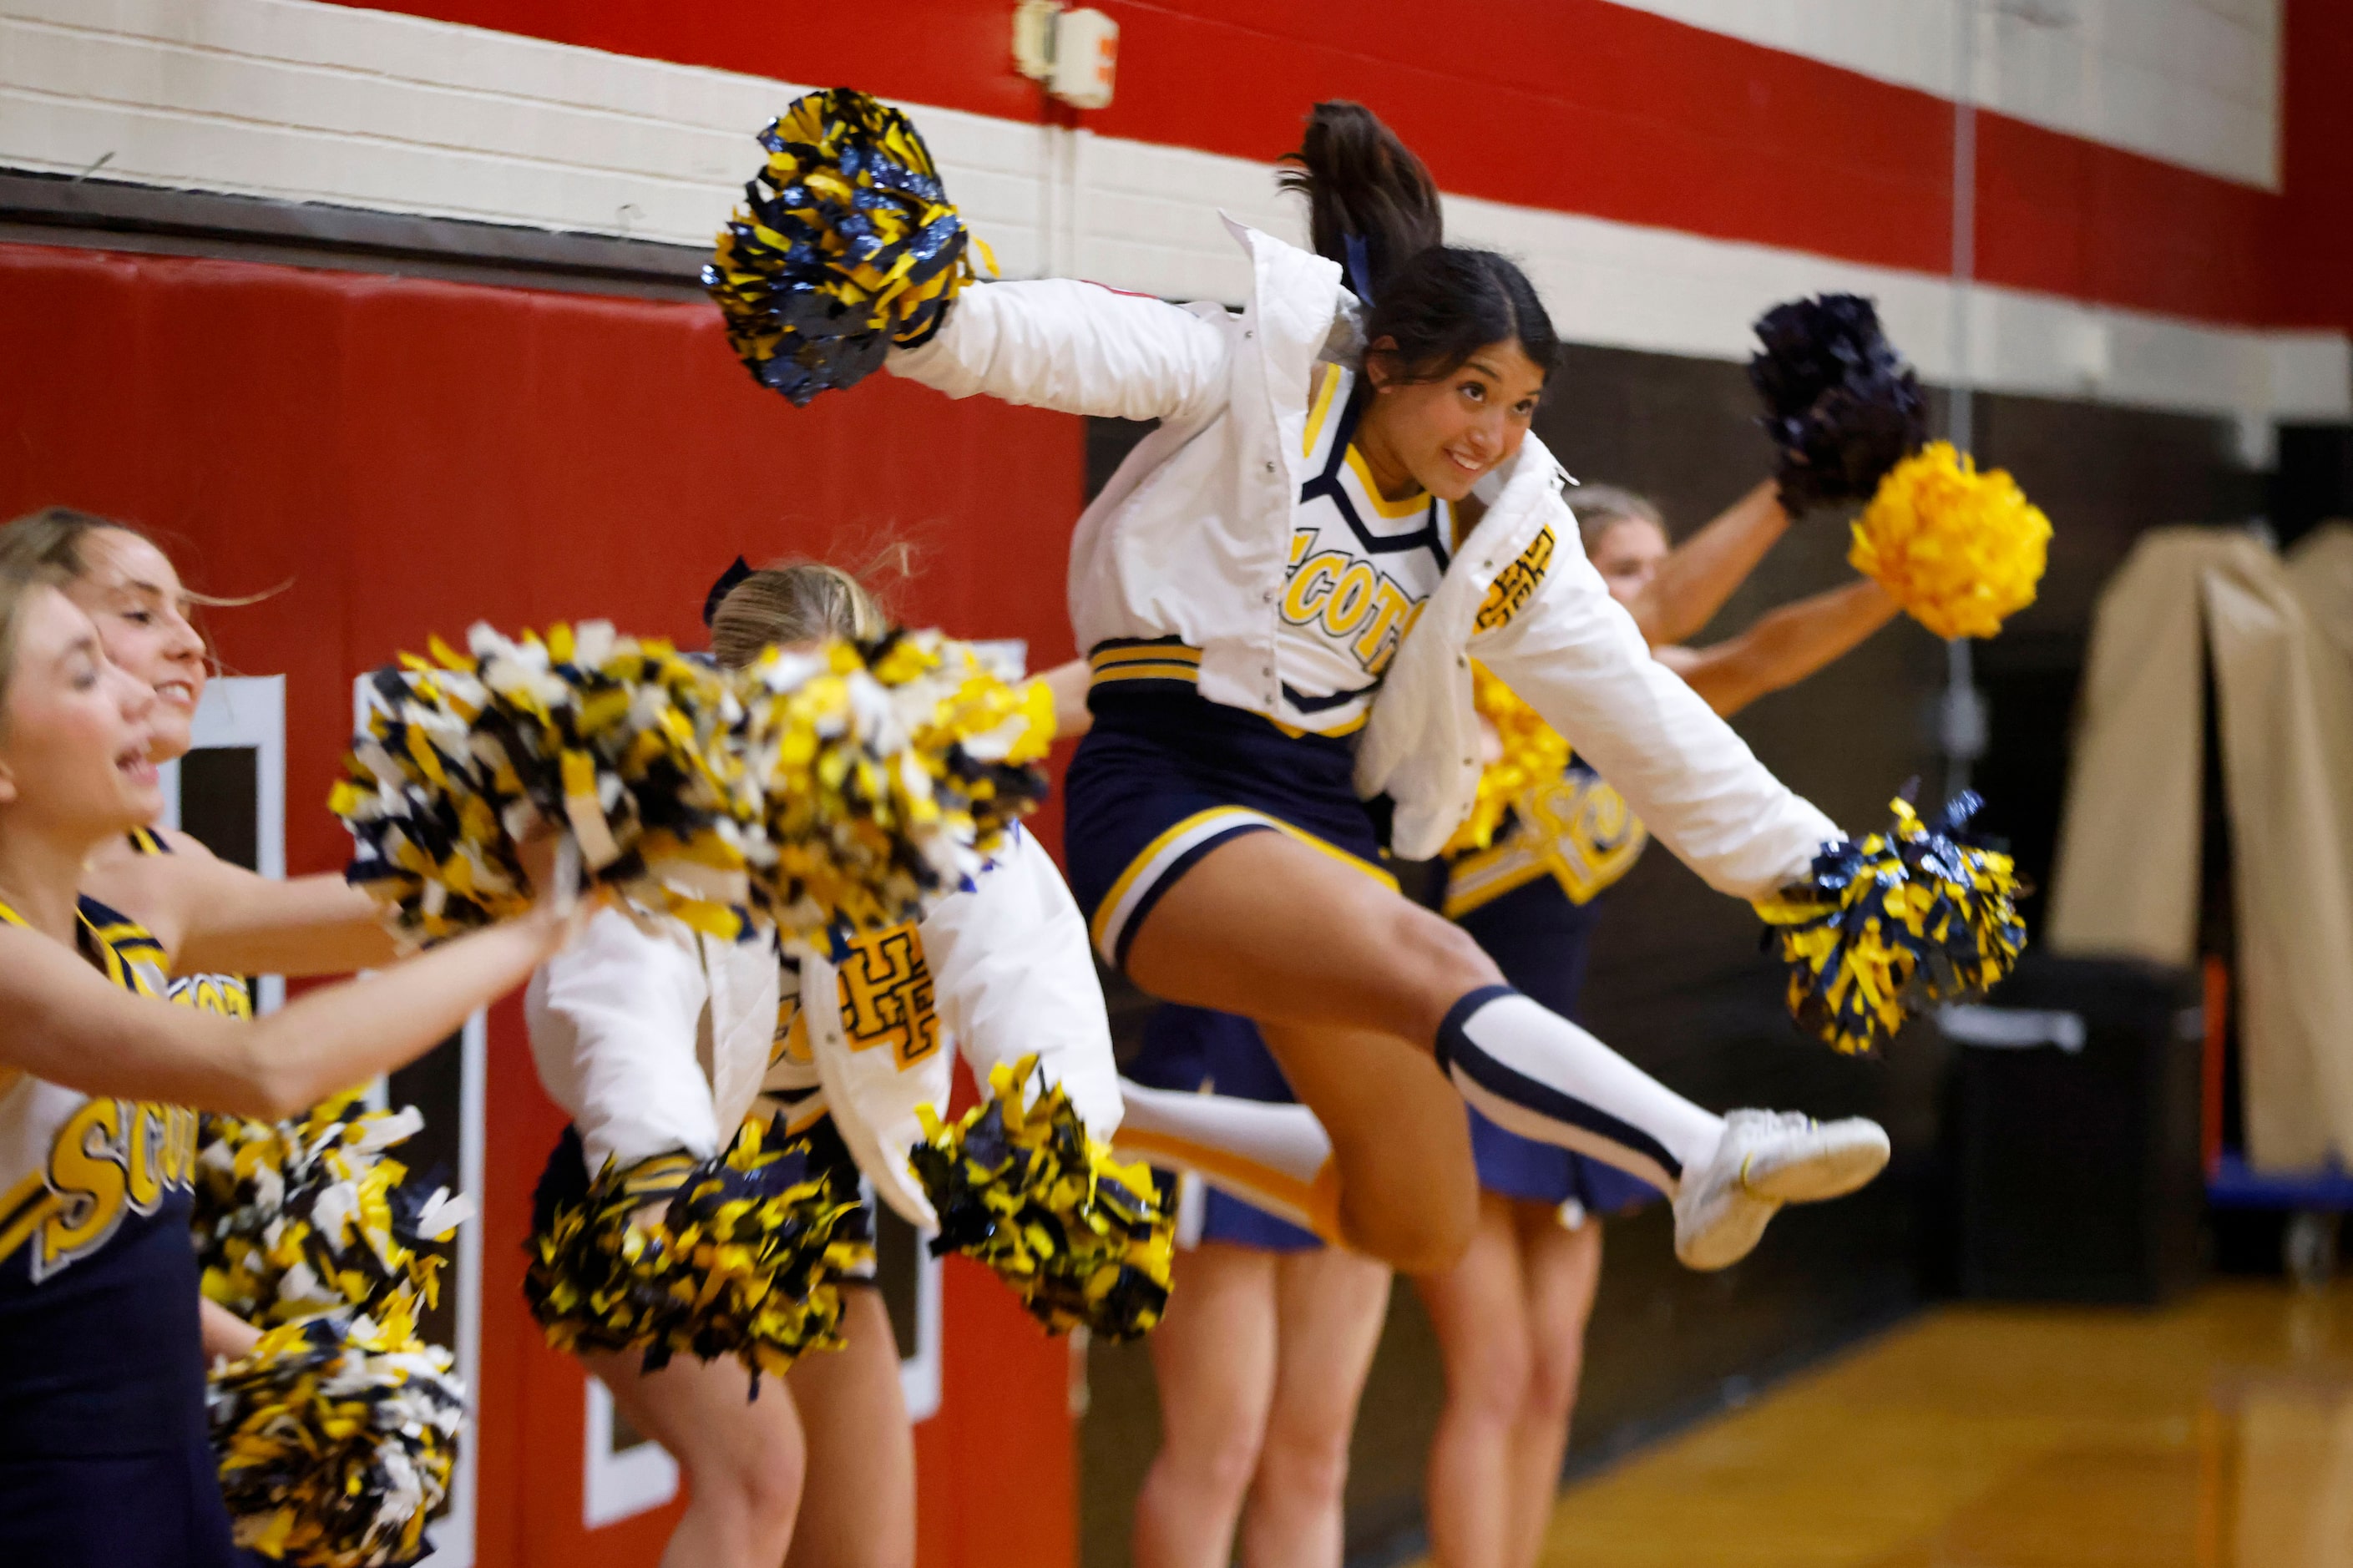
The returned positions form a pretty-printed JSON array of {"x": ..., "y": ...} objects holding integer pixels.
[{"x": 1455, "y": 430}]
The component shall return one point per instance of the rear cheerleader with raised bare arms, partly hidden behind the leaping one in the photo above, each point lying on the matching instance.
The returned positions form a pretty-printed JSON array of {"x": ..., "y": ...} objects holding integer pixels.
[{"x": 1512, "y": 1315}]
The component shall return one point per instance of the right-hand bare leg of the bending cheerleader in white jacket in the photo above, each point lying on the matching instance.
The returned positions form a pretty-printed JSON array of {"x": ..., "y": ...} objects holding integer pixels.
[{"x": 860, "y": 1503}]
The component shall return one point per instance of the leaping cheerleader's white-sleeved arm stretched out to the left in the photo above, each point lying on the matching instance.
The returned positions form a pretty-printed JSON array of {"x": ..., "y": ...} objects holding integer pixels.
[{"x": 1079, "y": 350}]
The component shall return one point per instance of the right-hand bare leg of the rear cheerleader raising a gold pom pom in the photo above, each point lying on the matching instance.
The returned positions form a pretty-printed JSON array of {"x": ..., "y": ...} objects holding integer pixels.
[{"x": 1561, "y": 1273}]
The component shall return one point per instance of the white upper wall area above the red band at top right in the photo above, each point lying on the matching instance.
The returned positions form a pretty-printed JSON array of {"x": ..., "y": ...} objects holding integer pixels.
[{"x": 2187, "y": 81}]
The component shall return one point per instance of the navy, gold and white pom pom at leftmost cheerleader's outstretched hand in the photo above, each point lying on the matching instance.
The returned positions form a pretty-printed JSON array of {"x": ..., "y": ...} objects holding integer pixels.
[{"x": 618, "y": 740}]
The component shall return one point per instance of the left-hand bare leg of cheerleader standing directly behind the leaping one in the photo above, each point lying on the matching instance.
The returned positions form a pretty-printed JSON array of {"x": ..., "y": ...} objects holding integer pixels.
[{"x": 1215, "y": 1362}]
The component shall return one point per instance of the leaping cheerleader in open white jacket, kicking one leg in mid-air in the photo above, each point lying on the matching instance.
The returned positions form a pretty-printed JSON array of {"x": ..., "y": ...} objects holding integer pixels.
[{"x": 1281, "y": 594}]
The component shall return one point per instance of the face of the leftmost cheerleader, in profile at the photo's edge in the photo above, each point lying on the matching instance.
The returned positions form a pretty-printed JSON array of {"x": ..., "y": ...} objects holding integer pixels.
[{"x": 76, "y": 733}]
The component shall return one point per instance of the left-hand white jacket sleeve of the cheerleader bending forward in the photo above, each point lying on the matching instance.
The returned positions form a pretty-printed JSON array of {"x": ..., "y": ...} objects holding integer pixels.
[{"x": 613, "y": 1030}]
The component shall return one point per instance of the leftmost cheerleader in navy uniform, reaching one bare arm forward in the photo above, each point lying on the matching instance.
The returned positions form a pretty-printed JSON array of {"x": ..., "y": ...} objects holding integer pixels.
[{"x": 102, "y": 1378}]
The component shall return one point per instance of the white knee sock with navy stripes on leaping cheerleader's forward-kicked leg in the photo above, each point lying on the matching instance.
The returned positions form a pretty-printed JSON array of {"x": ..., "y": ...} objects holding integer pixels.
[{"x": 1542, "y": 1077}]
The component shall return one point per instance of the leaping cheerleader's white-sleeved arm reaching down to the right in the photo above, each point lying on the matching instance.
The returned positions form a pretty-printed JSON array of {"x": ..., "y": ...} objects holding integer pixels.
[{"x": 1578, "y": 658}]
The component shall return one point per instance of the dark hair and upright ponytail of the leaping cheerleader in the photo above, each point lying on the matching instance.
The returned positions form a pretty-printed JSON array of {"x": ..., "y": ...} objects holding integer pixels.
[{"x": 1373, "y": 208}]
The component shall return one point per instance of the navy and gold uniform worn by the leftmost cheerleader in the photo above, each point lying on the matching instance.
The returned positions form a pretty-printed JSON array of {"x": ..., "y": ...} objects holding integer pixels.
[{"x": 102, "y": 1371}]
